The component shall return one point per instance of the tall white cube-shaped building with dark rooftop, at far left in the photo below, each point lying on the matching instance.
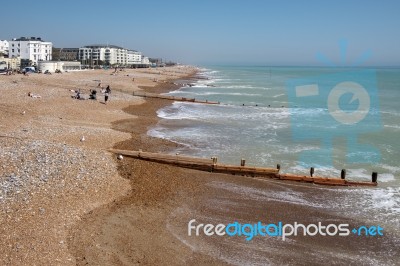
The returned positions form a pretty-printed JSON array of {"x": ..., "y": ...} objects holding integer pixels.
[{"x": 31, "y": 48}]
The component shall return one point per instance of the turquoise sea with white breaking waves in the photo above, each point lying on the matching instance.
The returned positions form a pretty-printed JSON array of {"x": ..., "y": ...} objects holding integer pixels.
[{"x": 298, "y": 117}]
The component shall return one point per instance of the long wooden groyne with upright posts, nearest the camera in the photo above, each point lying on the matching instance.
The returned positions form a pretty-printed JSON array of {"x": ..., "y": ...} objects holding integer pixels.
[{"x": 212, "y": 165}]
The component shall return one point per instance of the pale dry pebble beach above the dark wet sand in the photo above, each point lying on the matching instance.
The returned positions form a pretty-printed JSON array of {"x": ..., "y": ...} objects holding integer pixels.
[{"x": 53, "y": 155}]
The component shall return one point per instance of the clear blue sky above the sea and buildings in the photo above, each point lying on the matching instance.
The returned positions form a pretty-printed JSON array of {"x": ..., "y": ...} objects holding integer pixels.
[{"x": 269, "y": 32}]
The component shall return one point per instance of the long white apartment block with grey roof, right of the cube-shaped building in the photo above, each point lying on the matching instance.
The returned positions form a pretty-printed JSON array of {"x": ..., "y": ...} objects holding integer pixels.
[{"x": 103, "y": 54}]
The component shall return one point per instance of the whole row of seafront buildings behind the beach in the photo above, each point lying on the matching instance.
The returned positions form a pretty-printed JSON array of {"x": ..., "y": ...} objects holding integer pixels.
[{"x": 32, "y": 50}]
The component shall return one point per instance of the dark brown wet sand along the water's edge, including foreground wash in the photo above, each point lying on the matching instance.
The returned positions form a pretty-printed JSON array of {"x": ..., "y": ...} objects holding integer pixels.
[{"x": 150, "y": 224}]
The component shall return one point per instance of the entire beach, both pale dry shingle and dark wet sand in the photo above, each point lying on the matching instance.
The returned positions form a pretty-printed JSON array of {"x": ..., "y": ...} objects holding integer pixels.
[{"x": 78, "y": 205}]
